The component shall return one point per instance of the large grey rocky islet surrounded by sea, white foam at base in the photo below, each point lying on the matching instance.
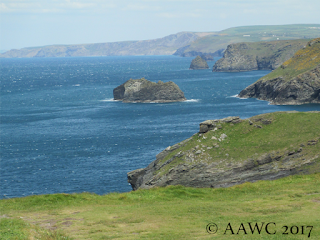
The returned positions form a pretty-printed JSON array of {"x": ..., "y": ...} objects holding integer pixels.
[{"x": 142, "y": 90}]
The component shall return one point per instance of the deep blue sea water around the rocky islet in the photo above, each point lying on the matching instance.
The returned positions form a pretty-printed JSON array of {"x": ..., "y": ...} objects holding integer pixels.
[{"x": 62, "y": 132}]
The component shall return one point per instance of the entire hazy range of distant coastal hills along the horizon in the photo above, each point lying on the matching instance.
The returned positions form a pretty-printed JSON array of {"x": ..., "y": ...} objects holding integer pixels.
[{"x": 185, "y": 44}]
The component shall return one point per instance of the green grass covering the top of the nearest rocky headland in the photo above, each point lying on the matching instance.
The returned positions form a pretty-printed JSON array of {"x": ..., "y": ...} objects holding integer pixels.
[{"x": 286, "y": 133}]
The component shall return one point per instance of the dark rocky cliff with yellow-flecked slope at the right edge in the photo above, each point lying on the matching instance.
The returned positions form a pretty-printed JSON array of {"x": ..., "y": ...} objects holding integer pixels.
[{"x": 296, "y": 81}]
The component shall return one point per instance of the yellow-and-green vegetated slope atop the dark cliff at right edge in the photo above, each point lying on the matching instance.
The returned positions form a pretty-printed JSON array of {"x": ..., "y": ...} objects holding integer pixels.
[{"x": 304, "y": 60}]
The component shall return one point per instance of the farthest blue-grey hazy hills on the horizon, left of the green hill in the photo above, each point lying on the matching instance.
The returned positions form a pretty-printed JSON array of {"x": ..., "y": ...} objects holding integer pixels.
[{"x": 161, "y": 46}]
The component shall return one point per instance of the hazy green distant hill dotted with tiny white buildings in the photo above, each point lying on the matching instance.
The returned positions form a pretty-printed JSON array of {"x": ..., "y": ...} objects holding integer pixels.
[{"x": 221, "y": 40}]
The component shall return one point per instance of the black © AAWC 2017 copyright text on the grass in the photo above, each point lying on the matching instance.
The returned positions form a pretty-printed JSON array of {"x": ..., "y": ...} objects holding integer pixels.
[{"x": 269, "y": 228}]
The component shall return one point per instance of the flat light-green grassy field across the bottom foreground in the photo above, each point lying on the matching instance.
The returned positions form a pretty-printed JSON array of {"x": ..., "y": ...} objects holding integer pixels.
[{"x": 173, "y": 212}]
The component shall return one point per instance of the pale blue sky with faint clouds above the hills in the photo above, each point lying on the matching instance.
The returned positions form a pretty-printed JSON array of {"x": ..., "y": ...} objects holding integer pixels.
[{"x": 30, "y": 23}]
